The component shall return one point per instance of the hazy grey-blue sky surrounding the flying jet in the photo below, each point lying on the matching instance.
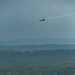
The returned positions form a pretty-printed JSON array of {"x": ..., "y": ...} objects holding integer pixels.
[{"x": 19, "y": 19}]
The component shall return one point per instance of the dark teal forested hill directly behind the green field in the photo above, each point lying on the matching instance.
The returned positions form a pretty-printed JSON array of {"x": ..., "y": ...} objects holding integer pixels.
[{"x": 52, "y": 56}]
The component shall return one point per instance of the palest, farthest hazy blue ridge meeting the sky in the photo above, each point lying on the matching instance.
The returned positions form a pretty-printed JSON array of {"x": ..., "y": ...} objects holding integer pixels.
[{"x": 38, "y": 41}]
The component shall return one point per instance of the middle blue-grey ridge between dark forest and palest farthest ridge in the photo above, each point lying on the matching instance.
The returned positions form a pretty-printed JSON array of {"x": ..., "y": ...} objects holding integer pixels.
[{"x": 38, "y": 47}]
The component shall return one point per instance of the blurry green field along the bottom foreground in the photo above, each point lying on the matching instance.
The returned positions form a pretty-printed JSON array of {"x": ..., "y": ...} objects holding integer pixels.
[{"x": 38, "y": 69}]
